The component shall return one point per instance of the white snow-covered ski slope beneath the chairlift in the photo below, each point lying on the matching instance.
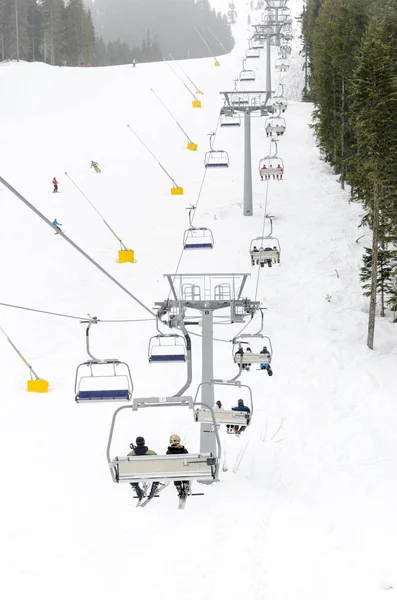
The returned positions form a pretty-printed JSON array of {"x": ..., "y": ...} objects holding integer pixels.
[{"x": 306, "y": 509}]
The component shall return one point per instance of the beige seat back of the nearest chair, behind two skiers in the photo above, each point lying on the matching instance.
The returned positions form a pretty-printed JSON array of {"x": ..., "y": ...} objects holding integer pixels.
[{"x": 187, "y": 467}]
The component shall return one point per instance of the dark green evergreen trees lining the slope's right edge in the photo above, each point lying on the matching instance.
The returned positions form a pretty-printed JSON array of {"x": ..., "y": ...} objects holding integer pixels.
[{"x": 350, "y": 50}]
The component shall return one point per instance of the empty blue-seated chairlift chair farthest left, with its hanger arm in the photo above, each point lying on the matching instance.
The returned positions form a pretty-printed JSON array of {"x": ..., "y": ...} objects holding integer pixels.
[{"x": 102, "y": 380}]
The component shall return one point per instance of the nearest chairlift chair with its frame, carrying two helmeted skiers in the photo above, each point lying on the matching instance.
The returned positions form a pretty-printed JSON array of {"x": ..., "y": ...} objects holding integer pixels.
[{"x": 154, "y": 468}]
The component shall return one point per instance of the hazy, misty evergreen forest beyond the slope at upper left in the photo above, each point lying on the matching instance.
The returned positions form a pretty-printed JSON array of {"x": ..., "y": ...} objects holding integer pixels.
[{"x": 108, "y": 32}]
